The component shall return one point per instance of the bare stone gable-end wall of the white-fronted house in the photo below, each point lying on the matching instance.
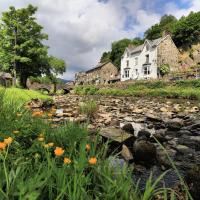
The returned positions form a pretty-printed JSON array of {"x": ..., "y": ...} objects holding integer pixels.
[{"x": 168, "y": 54}]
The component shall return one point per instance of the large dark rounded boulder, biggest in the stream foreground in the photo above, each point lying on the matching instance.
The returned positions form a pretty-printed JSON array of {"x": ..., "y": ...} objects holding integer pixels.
[{"x": 144, "y": 152}]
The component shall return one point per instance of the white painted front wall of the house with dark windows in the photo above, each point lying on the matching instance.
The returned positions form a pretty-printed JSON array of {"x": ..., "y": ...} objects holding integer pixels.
[{"x": 152, "y": 52}]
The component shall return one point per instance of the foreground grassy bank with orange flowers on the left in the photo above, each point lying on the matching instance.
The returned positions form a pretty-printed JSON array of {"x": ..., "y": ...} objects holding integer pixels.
[{"x": 39, "y": 161}]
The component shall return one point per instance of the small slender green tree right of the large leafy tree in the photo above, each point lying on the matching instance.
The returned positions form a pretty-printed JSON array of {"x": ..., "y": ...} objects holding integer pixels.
[{"x": 57, "y": 67}]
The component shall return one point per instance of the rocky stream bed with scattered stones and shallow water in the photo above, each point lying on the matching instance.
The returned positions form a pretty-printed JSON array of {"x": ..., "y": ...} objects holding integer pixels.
[{"x": 139, "y": 129}]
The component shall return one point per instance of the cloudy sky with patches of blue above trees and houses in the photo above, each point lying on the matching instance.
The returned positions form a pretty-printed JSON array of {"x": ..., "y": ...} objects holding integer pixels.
[{"x": 81, "y": 30}]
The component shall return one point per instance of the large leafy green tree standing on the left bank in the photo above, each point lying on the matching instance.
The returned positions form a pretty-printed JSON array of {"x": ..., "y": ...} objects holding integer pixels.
[{"x": 21, "y": 49}]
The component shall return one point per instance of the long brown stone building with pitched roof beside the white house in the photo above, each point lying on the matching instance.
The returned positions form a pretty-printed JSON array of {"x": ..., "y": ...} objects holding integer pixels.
[{"x": 101, "y": 74}]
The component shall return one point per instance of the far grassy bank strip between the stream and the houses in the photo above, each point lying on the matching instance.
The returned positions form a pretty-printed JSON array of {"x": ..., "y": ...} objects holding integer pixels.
[{"x": 187, "y": 89}]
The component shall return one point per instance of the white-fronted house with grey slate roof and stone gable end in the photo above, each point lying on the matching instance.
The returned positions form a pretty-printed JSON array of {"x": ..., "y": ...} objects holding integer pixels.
[{"x": 142, "y": 62}]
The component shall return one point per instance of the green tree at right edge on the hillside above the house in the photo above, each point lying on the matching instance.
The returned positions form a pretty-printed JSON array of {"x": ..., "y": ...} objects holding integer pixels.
[{"x": 187, "y": 30}]
